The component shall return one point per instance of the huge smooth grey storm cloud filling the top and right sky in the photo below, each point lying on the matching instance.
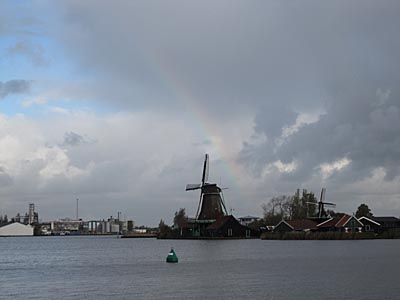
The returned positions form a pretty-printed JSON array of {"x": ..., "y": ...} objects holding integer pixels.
[{"x": 276, "y": 59}]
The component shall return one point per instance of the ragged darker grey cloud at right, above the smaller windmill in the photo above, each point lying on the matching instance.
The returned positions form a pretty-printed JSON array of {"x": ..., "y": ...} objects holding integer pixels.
[{"x": 366, "y": 134}]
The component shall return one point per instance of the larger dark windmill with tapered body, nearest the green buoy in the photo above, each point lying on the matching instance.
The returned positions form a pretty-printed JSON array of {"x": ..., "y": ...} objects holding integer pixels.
[{"x": 211, "y": 204}]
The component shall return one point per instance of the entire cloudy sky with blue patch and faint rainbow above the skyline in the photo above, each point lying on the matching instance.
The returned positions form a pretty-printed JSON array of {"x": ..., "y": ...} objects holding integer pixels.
[{"x": 116, "y": 103}]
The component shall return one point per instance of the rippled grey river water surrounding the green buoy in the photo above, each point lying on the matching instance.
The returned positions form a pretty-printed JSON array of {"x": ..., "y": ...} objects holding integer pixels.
[{"x": 112, "y": 268}]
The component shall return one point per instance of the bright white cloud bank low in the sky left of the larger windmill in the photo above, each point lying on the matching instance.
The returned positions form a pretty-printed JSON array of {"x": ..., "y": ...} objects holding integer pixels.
[{"x": 136, "y": 158}]
